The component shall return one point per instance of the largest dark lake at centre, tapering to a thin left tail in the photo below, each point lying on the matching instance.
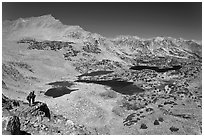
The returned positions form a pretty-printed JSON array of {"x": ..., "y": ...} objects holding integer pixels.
[{"x": 123, "y": 87}]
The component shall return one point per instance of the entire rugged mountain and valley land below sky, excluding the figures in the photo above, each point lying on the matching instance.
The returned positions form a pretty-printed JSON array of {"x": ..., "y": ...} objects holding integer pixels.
[{"x": 89, "y": 84}]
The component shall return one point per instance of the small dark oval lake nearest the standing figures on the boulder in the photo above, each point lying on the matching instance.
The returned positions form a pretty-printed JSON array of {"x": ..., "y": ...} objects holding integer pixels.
[{"x": 57, "y": 92}]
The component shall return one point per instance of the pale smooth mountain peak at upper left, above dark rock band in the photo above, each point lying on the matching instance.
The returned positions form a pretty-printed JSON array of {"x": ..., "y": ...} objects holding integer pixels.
[{"x": 42, "y": 27}]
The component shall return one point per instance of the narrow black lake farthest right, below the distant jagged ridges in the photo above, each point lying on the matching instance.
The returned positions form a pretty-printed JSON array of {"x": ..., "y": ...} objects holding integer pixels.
[{"x": 157, "y": 69}]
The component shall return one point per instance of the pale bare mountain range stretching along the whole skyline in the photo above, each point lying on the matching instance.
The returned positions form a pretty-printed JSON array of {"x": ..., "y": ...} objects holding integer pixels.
[{"x": 48, "y": 28}]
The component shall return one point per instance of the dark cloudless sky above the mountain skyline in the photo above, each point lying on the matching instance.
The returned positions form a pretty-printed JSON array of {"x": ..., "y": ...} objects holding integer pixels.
[{"x": 145, "y": 20}]
